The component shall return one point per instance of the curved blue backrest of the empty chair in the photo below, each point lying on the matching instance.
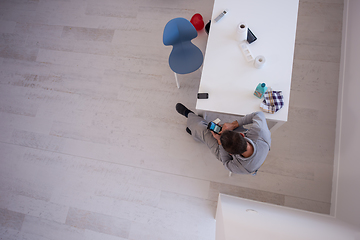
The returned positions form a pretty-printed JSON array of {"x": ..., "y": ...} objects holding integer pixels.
[{"x": 178, "y": 30}]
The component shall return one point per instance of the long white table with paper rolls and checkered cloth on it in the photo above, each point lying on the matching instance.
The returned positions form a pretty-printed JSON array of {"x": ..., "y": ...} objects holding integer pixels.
[{"x": 228, "y": 77}]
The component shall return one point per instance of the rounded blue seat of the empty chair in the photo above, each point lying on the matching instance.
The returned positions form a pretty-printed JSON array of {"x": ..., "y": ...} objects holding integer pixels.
[{"x": 185, "y": 58}]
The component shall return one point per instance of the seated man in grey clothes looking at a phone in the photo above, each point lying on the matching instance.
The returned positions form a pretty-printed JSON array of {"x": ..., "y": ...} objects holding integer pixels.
[{"x": 239, "y": 152}]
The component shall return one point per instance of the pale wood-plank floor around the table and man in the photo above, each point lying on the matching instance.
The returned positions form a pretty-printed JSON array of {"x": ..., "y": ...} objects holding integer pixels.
[{"x": 91, "y": 146}]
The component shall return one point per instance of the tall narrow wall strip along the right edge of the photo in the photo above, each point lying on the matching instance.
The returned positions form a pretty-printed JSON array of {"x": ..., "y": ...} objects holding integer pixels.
[{"x": 346, "y": 185}]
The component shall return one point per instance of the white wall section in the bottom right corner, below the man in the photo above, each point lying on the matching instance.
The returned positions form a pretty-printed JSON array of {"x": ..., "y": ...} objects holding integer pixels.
[{"x": 238, "y": 218}]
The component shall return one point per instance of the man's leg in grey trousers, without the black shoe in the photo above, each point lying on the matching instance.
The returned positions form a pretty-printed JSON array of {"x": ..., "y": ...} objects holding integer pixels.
[{"x": 199, "y": 131}]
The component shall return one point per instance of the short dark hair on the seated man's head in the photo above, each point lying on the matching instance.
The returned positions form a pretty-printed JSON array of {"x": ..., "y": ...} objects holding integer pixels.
[{"x": 233, "y": 142}]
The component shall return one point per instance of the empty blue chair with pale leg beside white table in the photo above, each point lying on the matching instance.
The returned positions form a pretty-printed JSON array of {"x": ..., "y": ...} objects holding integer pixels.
[{"x": 185, "y": 57}]
